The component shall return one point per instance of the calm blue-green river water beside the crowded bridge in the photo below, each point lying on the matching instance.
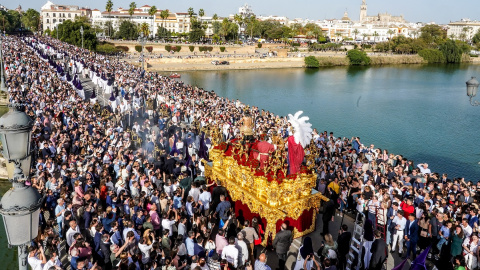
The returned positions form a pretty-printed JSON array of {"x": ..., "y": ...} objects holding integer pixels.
[{"x": 419, "y": 111}]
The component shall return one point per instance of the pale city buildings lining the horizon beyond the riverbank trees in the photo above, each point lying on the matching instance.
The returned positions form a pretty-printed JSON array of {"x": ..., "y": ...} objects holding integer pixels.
[{"x": 369, "y": 28}]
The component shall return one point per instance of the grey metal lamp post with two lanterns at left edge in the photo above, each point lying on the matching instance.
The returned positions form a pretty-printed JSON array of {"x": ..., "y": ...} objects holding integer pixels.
[{"x": 20, "y": 206}]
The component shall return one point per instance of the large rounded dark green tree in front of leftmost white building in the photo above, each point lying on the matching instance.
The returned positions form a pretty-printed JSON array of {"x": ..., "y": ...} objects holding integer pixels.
[{"x": 69, "y": 32}]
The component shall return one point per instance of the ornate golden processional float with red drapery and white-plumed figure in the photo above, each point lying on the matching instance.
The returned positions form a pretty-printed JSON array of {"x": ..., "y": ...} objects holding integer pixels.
[{"x": 258, "y": 181}]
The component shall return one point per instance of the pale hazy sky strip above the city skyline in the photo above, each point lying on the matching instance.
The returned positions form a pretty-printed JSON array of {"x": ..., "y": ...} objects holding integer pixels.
[{"x": 438, "y": 11}]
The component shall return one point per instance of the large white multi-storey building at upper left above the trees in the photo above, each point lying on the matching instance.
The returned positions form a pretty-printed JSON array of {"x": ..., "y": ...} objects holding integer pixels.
[{"x": 53, "y": 14}]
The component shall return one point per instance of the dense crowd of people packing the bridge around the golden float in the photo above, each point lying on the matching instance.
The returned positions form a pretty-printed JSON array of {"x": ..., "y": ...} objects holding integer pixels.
[{"x": 124, "y": 182}]
